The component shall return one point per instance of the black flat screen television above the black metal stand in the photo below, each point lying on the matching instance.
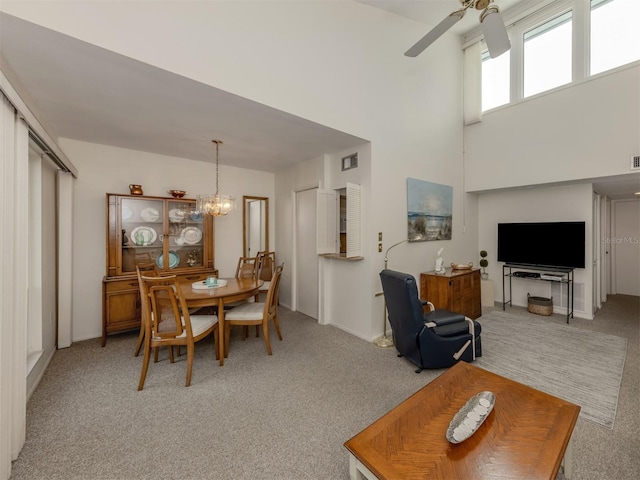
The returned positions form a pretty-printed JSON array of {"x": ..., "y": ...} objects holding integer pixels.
[{"x": 546, "y": 244}]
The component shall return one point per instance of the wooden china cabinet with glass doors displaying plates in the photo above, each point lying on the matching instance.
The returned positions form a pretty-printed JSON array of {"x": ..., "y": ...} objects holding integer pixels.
[{"x": 162, "y": 232}]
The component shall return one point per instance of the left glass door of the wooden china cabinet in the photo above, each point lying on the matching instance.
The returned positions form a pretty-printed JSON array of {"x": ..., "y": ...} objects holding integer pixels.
[{"x": 142, "y": 232}]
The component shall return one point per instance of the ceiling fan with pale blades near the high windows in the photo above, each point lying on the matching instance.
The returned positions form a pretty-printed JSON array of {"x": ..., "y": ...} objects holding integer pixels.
[{"x": 495, "y": 33}]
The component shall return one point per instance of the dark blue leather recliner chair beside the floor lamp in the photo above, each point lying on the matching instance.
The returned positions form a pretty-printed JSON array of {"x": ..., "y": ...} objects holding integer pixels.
[{"x": 436, "y": 339}]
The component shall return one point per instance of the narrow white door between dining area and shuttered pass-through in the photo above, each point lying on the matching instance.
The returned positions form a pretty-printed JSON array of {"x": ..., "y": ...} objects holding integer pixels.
[{"x": 306, "y": 257}]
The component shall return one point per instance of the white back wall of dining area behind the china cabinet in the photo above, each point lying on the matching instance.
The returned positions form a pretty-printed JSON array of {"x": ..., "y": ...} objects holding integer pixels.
[{"x": 105, "y": 169}]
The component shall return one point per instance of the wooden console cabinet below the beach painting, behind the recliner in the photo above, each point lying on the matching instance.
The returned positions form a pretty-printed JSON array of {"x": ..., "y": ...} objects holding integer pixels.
[{"x": 457, "y": 290}]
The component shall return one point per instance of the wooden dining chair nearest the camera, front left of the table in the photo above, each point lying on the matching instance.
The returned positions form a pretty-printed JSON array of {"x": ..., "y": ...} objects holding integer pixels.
[{"x": 167, "y": 322}]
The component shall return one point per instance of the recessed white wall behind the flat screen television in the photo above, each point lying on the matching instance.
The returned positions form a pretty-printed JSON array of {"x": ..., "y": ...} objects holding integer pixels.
[{"x": 551, "y": 204}]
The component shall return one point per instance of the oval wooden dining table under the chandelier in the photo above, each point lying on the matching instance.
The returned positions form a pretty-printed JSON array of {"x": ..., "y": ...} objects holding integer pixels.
[{"x": 226, "y": 291}]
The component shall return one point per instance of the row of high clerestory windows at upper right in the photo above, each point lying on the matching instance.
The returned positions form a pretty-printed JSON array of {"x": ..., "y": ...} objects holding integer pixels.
[{"x": 564, "y": 42}]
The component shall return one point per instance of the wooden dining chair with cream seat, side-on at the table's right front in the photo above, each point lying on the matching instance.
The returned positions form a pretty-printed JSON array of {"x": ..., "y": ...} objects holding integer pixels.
[{"x": 257, "y": 313}]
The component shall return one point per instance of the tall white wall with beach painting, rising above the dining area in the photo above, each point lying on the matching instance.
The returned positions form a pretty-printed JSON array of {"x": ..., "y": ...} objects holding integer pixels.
[{"x": 355, "y": 78}]
